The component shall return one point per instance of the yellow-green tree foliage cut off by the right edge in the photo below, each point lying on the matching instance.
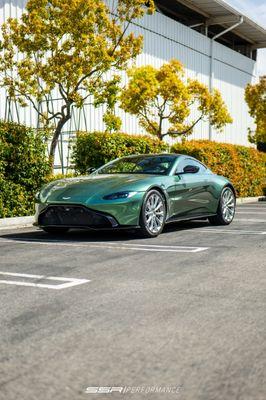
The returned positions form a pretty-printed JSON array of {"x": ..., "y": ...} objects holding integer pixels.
[{"x": 256, "y": 99}]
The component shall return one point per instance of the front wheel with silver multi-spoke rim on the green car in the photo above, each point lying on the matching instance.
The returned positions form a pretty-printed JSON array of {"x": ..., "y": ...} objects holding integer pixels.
[{"x": 153, "y": 214}]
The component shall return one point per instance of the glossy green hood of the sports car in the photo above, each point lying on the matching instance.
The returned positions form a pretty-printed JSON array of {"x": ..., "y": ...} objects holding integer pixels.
[{"x": 84, "y": 189}]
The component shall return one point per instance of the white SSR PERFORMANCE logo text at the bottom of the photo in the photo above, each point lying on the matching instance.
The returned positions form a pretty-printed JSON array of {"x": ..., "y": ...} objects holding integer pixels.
[{"x": 132, "y": 389}]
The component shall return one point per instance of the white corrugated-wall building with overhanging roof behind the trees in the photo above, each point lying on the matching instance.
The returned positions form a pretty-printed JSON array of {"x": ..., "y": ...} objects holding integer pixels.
[{"x": 216, "y": 43}]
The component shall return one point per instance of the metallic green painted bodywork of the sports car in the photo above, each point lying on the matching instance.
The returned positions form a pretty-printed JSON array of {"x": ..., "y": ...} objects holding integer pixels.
[{"x": 187, "y": 195}]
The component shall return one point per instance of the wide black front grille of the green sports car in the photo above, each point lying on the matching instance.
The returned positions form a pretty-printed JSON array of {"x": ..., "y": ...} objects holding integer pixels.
[{"x": 76, "y": 216}]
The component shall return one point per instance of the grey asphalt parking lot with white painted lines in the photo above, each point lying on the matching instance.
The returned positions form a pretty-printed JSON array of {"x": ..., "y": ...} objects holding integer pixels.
[{"x": 185, "y": 310}]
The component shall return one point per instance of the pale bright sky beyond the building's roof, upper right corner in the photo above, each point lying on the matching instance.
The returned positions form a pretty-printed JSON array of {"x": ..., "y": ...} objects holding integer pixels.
[{"x": 256, "y": 10}]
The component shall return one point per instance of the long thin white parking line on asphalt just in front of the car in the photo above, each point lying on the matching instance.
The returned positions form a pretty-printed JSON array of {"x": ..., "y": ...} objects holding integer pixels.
[{"x": 110, "y": 245}]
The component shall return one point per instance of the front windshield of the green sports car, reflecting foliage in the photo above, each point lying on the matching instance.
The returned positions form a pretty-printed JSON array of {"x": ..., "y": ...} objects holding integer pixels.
[{"x": 158, "y": 165}]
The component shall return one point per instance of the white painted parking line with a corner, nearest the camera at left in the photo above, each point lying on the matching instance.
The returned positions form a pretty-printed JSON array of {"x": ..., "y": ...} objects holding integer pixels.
[{"x": 69, "y": 282}]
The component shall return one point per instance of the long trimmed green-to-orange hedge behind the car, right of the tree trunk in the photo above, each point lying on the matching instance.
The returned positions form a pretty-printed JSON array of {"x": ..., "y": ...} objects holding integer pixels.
[{"x": 244, "y": 166}]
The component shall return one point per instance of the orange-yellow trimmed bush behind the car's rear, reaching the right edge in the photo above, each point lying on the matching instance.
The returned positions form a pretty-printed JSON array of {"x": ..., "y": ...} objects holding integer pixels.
[{"x": 244, "y": 166}]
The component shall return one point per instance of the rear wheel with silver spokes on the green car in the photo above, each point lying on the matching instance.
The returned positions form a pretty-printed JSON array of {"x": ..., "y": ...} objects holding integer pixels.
[{"x": 226, "y": 208}]
